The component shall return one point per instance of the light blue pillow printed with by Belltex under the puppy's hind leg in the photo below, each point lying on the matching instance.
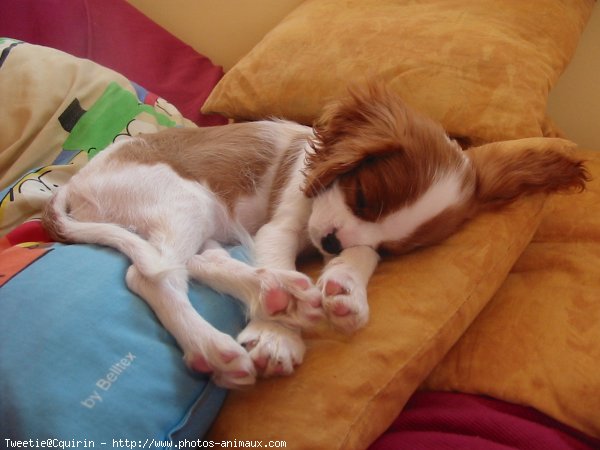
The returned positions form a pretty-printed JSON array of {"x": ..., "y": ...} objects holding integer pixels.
[{"x": 81, "y": 357}]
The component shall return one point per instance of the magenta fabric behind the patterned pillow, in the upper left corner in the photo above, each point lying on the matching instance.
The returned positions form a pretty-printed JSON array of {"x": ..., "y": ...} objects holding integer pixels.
[{"x": 115, "y": 34}]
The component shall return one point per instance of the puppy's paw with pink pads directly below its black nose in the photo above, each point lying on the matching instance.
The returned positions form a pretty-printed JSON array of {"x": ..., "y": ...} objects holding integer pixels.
[{"x": 344, "y": 299}]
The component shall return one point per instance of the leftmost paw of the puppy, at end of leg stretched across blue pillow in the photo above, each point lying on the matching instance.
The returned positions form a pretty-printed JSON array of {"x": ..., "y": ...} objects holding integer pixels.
[{"x": 221, "y": 356}]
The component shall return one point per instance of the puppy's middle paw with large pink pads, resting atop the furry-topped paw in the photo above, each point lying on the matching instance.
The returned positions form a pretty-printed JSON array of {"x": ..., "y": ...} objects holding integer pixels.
[{"x": 289, "y": 297}]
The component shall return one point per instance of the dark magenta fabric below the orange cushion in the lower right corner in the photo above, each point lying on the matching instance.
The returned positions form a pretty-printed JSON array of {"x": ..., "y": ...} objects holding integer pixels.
[{"x": 443, "y": 420}]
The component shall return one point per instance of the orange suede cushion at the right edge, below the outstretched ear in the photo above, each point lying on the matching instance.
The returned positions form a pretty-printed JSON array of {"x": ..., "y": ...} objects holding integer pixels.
[{"x": 537, "y": 342}]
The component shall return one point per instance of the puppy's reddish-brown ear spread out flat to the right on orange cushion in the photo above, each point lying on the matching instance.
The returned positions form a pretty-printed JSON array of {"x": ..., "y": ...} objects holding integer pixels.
[{"x": 506, "y": 170}]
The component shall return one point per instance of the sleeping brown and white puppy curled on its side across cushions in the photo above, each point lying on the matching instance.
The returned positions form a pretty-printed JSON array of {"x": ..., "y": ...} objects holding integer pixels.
[{"x": 371, "y": 176}]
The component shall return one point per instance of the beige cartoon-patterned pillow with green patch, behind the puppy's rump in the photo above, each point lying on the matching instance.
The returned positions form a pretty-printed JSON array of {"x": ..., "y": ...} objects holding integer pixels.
[{"x": 69, "y": 111}]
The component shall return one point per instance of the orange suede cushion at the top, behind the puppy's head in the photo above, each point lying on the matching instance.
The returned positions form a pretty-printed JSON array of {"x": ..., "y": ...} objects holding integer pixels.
[{"x": 482, "y": 68}]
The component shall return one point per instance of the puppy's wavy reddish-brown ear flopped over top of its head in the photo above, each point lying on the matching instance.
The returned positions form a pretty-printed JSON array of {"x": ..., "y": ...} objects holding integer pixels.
[{"x": 361, "y": 125}]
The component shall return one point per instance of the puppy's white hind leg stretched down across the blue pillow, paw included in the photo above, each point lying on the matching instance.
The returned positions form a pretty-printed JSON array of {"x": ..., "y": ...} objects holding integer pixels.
[{"x": 205, "y": 348}]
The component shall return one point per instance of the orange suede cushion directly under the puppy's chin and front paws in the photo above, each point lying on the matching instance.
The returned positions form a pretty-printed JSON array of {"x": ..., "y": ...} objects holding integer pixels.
[{"x": 350, "y": 388}]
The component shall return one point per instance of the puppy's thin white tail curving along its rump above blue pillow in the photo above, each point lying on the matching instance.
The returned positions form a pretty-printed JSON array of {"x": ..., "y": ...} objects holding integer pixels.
[{"x": 62, "y": 227}]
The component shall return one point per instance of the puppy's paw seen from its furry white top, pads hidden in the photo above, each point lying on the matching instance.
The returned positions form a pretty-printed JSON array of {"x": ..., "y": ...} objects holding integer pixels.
[{"x": 274, "y": 348}]
